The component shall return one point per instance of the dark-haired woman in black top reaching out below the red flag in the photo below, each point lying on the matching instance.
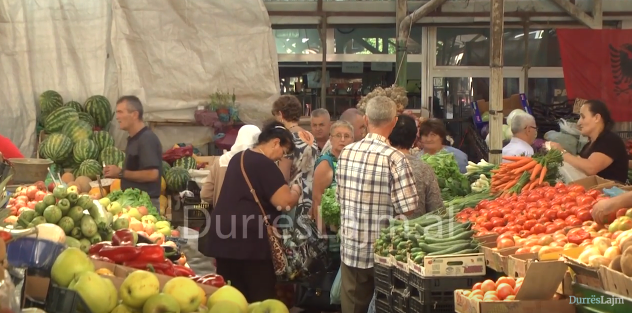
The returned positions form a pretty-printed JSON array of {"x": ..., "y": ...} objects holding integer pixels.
[{"x": 605, "y": 155}]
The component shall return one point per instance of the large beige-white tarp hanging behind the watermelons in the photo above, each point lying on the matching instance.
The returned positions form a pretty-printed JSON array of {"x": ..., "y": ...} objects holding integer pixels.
[{"x": 172, "y": 54}]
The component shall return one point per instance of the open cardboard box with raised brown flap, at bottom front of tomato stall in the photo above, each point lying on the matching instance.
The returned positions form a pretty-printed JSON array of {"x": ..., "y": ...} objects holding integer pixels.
[{"x": 535, "y": 295}]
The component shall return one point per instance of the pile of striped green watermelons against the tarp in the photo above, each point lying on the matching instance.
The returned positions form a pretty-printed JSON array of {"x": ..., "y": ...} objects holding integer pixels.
[{"x": 76, "y": 134}]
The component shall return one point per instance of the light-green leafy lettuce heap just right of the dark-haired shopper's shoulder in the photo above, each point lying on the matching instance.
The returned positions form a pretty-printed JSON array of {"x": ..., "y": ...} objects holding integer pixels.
[{"x": 451, "y": 182}]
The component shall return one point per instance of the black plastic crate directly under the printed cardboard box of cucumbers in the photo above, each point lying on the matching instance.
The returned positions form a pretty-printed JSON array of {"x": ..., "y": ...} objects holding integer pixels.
[{"x": 440, "y": 290}]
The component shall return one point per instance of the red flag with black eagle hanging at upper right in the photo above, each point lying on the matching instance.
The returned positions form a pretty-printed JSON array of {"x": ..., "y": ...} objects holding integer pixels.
[{"x": 597, "y": 64}]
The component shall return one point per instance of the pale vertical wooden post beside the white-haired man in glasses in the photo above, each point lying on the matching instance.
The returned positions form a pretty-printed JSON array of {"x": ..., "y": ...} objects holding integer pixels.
[{"x": 497, "y": 13}]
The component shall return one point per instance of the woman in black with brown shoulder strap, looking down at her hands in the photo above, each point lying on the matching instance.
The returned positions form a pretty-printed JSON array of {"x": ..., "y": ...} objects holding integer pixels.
[{"x": 237, "y": 236}]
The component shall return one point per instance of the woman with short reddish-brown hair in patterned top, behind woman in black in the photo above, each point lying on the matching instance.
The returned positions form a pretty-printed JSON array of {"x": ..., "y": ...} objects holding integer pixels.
[{"x": 298, "y": 166}]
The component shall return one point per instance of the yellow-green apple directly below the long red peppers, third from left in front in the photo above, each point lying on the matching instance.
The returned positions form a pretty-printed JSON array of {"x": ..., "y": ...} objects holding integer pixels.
[{"x": 138, "y": 287}]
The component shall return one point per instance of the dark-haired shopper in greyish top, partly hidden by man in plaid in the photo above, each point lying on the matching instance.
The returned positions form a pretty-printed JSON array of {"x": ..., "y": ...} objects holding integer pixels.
[{"x": 403, "y": 138}]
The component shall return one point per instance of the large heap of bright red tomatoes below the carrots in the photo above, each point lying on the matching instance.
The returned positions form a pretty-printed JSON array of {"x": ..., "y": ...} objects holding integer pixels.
[{"x": 543, "y": 210}]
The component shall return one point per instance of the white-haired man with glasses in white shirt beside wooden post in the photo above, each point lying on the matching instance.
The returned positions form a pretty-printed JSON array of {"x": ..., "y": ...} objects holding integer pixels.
[{"x": 524, "y": 133}]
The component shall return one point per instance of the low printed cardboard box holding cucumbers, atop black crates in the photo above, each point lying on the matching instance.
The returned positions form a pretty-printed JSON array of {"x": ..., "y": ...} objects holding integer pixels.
[{"x": 450, "y": 265}]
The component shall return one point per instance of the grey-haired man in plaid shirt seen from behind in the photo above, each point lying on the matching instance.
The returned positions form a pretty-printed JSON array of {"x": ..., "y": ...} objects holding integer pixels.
[{"x": 375, "y": 183}]
